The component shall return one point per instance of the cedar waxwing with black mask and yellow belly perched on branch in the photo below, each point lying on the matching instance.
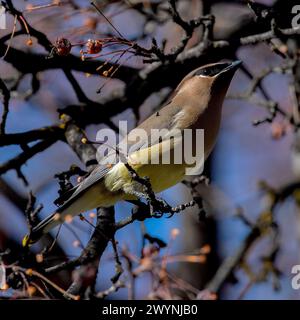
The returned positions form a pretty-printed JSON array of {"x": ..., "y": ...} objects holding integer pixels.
[{"x": 195, "y": 104}]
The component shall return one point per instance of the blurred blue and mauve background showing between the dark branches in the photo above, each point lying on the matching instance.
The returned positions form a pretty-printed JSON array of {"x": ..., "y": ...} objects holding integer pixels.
[{"x": 245, "y": 154}]
